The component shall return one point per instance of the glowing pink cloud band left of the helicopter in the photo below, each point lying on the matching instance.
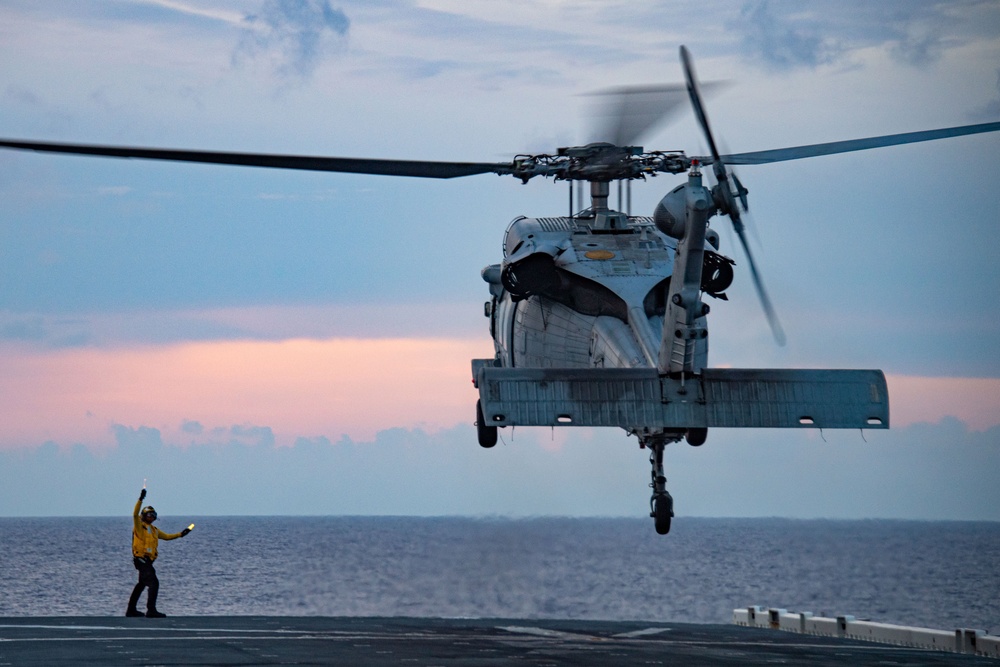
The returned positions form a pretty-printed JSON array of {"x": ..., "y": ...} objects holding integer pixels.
[{"x": 298, "y": 388}]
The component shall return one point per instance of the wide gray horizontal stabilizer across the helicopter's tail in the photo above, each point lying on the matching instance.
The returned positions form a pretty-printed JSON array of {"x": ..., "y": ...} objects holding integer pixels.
[{"x": 633, "y": 398}]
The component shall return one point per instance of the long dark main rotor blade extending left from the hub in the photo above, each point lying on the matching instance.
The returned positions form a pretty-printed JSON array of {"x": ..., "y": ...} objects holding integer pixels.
[{"x": 420, "y": 169}]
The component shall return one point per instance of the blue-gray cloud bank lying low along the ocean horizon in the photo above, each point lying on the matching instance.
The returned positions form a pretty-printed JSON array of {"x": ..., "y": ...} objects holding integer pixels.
[{"x": 924, "y": 471}]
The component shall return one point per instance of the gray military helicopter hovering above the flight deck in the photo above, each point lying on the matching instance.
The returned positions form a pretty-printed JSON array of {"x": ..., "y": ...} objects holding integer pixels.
[{"x": 599, "y": 317}]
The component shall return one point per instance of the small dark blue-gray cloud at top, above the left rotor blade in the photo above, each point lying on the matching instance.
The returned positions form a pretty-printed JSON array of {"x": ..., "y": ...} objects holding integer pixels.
[{"x": 292, "y": 33}]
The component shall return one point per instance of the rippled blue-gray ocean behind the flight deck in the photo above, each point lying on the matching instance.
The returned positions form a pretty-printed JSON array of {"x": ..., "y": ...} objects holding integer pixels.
[{"x": 932, "y": 574}]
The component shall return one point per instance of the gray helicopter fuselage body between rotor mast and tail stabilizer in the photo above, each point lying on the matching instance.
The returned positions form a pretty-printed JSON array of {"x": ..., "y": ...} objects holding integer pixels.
[{"x": 587, "y": 291}]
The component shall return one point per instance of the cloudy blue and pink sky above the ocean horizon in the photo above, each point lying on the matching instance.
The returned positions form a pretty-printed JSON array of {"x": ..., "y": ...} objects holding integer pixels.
[{"x": 253, "y": 341}]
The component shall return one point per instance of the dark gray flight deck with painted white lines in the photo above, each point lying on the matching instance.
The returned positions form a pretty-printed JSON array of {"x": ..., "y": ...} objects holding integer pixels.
[{"x": 256, "y": 640}]
